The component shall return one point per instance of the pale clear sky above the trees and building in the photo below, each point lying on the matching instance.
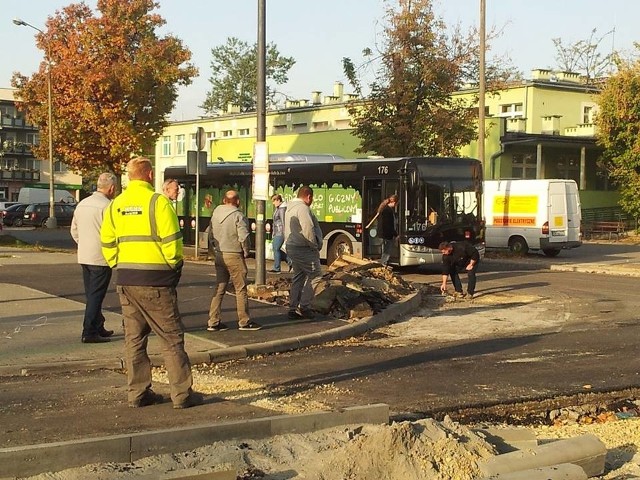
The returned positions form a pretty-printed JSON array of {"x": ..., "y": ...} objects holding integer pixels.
[{"x": 319, "y": 33}]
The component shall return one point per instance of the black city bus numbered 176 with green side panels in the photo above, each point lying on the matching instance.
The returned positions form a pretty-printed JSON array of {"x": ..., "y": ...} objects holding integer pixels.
[{"x": 439, "y": 199}]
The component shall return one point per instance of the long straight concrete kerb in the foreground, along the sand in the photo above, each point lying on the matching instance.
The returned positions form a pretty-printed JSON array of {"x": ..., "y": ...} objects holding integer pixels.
[{"x": 35, "y": 459}]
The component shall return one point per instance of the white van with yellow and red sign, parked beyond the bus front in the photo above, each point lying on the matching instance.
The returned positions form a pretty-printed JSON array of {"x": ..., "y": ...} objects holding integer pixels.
[{"x": 532, "y": 214}]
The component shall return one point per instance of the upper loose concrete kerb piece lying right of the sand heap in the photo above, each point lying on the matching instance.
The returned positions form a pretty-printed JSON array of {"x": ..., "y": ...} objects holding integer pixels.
[{"x": 586, "y": 451}]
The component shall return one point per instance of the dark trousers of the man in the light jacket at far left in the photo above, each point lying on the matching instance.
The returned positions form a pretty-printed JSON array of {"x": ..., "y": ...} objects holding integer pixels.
[{"x": 96, "y": 282}]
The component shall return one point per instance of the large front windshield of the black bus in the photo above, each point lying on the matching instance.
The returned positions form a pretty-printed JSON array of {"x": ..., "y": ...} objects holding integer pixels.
[{"x": 435, "y": 203}]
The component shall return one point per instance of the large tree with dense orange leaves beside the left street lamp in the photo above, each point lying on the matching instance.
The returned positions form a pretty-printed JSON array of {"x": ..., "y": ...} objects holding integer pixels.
[{"x": 114, "y": 81}]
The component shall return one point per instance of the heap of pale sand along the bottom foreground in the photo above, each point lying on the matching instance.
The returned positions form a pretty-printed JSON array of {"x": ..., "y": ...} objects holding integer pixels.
[{"x": 420, "y": 450}]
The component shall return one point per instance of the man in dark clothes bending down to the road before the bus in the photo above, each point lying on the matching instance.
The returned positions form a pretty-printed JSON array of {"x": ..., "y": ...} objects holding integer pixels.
[{"x": 459, "y": 256}]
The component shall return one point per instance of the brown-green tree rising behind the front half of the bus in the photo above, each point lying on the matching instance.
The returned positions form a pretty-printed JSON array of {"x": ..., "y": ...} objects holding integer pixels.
[{"x": 410, "y": 109}]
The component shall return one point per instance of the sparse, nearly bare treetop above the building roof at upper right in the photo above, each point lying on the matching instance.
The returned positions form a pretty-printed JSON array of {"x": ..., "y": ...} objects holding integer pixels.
[{"x": 585, "y": 56}]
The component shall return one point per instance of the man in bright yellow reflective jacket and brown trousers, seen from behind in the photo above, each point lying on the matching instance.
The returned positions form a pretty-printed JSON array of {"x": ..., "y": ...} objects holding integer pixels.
[{"x": 141, "y": 239}]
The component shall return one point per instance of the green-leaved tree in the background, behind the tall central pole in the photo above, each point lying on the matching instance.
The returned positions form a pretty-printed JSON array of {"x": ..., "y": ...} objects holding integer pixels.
[{"x": 234, "y": 79}]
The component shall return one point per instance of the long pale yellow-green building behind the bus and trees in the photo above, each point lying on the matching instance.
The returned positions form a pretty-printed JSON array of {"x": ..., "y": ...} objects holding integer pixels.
[{"x": 536, "y": 128}]
